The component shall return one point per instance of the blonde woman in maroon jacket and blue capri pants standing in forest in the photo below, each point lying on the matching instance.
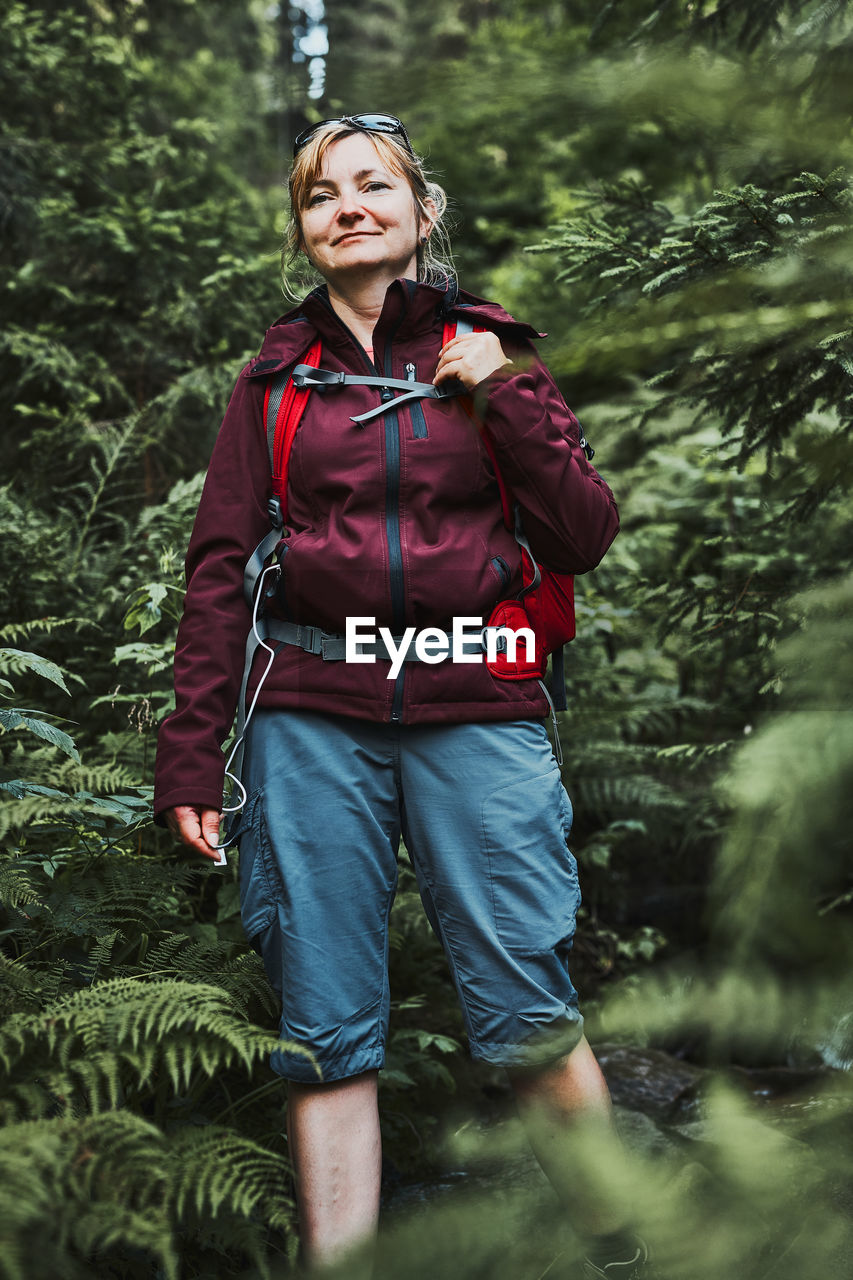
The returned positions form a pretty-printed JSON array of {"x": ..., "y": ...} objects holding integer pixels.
[{"x": 399, "y": 523}]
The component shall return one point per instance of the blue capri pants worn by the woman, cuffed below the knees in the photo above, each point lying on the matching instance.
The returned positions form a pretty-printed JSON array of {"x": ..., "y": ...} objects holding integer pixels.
[{"x": 485, "y": 817}]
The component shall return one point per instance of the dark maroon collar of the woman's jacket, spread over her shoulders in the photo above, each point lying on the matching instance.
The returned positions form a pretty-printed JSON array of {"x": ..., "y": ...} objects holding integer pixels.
[{"x": 409, "y": 309}]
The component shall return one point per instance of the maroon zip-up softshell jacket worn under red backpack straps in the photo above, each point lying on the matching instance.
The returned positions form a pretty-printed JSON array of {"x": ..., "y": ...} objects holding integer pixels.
[{"x": 399, "y": 520}]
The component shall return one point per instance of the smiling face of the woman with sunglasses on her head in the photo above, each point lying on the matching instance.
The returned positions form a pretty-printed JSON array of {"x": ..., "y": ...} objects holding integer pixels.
[{"x": 361, "y": 217}]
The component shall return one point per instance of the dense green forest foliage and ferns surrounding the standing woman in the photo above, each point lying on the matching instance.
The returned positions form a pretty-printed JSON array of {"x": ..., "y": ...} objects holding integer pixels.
[{"x": 664, "y": 188}]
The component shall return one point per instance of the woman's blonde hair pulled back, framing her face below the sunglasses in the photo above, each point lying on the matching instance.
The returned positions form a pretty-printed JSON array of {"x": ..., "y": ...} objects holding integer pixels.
[{"x": 435, "y": 258}]
